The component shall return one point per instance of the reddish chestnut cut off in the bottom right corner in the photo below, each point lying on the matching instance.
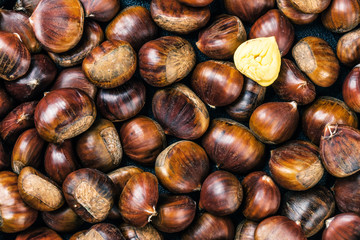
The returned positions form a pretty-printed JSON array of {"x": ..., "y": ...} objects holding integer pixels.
[{"x": 344, "y": 226}]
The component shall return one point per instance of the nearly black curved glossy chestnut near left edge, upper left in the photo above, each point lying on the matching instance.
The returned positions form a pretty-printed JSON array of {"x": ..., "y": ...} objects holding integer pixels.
[{"x": 41, "y": 74}]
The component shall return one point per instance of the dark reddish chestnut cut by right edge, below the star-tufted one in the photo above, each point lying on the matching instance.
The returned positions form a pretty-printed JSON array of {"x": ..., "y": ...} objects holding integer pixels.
[{"x": 347, "y": 193}]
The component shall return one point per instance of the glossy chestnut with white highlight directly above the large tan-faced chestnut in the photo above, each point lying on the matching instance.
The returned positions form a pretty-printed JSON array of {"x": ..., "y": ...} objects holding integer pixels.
[{"x": 134, "y": 25}]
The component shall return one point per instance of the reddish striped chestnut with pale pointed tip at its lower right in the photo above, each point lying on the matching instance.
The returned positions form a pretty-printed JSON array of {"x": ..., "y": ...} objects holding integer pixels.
[{"x": 138, "y": 199}]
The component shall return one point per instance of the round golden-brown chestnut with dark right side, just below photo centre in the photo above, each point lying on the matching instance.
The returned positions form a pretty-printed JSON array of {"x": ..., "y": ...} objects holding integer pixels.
[{"x": 177, "y": 162}]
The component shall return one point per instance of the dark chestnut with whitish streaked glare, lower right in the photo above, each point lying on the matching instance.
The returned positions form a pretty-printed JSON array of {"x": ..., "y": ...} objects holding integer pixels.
[{"x": 310, "y": 208}]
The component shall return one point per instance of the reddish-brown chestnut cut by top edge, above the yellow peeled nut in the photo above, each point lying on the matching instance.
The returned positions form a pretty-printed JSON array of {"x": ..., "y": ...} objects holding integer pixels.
[{"x": 248, "y": 11}]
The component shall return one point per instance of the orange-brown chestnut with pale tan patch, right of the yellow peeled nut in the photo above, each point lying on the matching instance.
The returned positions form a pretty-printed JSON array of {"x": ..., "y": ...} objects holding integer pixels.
[{"x": 315, "y": 57}]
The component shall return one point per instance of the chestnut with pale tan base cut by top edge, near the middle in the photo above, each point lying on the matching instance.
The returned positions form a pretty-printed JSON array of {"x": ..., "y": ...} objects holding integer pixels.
[{"x": 173, "y": 16}]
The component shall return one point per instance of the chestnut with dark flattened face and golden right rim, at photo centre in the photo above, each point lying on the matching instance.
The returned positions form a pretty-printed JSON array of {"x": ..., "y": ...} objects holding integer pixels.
[{"x": 180, "y": 112}]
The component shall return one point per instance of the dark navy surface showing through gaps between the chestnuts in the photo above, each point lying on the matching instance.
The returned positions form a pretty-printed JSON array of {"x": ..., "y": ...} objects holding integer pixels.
[{"x": 217, "y": 7}]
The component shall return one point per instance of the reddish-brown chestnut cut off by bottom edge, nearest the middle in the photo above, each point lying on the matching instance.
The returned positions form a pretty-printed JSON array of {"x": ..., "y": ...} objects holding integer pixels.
[{"x": 209, "y": 226}]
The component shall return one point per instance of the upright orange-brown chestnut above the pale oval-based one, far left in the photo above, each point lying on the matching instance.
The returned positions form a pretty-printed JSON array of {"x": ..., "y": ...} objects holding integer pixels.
[{"x": 27, "y": 150}]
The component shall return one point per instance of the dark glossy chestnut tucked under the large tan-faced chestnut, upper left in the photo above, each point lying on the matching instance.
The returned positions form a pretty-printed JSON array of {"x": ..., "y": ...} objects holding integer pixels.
[{"x": 123, "y": 102}]
